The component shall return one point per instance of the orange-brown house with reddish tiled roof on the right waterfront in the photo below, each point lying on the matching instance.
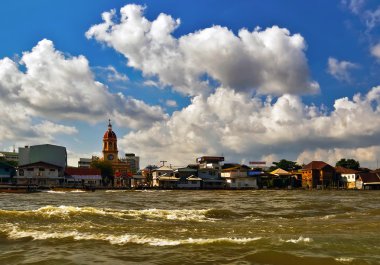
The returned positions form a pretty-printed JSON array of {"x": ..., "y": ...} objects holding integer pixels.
[{"x": 318, "y": 174}]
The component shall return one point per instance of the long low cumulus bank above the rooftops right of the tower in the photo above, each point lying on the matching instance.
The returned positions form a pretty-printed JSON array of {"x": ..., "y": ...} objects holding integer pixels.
[{"x": 230, "y": 123}]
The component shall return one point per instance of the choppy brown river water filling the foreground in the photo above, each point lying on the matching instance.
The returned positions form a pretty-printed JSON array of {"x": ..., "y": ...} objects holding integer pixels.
[{"x": 191, "y": 227}]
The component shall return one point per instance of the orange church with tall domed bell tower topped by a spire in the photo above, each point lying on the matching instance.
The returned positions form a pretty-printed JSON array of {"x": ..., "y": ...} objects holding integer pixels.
[{"x": 110, "y": 152}]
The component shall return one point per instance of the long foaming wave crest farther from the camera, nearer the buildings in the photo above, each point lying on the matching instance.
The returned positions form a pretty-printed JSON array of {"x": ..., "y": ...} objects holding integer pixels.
[{"x": 68, "y": 212}]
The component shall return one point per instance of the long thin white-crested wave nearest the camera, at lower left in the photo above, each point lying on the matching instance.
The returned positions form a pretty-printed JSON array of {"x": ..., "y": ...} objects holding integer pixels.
[{"x": 15, "y": 232}]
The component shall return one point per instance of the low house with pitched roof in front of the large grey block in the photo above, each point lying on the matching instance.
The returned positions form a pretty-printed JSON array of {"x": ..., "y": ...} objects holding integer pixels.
[{"x": 40, "y": 174}]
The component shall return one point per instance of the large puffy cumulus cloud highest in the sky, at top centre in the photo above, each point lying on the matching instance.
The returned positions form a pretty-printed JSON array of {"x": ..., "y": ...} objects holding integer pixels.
[{"x": 270, "y": 61}]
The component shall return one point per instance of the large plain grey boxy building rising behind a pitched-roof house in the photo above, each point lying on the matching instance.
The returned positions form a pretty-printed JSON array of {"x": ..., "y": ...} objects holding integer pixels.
[{"x": 46, "y": 153}]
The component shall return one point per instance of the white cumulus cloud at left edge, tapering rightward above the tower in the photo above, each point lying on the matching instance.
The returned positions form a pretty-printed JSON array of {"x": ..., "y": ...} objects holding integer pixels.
[{"x": 58, "y": 87}]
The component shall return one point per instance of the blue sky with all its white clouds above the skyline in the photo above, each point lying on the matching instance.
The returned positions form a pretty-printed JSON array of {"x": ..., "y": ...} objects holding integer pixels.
[{"x": 249, "y": 80}]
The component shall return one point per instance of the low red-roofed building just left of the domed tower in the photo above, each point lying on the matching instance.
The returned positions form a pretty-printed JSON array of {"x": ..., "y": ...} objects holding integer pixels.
[{"x": 83, "y": 177}]
